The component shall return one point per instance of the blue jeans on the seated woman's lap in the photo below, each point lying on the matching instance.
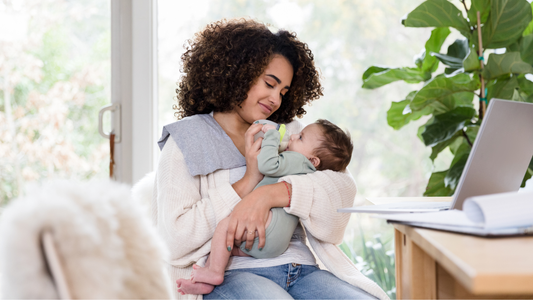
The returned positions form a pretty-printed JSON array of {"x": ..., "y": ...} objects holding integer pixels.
[{"x": 290, "y": 281}]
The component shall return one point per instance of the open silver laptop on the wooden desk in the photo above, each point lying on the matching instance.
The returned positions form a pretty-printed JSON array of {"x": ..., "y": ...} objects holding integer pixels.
[{"x": 497, "y": 163}]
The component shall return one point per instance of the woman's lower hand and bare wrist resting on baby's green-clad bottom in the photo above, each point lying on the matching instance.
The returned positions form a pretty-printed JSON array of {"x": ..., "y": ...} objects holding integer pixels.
[{"x": 251, "y": 214}]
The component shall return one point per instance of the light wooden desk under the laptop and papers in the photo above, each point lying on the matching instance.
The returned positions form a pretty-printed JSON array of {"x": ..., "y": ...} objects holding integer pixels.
[{"x": 432, "y": 264}]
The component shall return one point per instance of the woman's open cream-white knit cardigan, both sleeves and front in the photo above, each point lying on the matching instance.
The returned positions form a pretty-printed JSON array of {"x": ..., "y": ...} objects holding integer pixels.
[{"x": 186, "y": 210}]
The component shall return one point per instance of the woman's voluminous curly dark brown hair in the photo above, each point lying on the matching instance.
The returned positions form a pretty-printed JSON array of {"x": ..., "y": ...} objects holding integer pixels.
[{"x": 222, "y": 62}]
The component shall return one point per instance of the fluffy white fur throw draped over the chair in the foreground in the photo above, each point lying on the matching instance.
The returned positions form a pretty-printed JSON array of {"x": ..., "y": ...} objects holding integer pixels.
[{"x": 106, "y": 244}]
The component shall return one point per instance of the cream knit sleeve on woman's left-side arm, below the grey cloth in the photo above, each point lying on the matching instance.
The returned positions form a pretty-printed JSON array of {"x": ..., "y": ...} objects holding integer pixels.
[{"x": 186, "y": 217}]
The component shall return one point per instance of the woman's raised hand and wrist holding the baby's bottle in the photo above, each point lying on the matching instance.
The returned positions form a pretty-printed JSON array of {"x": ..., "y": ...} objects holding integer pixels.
[{"x": 252, "y": 149}]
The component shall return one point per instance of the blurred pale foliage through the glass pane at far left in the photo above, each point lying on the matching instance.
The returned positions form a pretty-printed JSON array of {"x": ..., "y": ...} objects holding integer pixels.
[{"x": 54, "y": 78}]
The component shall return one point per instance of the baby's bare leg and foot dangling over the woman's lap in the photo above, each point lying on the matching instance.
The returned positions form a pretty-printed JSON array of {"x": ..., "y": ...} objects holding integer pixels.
[{"x": 213, "y": 272}]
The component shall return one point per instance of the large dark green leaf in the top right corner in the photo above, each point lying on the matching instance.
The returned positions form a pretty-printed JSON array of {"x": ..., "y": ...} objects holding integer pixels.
[{"x": 506, "y": 22}]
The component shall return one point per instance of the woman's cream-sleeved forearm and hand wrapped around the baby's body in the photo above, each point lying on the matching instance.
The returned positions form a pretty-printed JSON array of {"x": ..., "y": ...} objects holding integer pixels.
[{"x": 314, "y": 198}]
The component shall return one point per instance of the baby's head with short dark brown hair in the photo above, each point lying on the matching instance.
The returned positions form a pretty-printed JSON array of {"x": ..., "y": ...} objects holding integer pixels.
[{"x": 326, "y": 145}]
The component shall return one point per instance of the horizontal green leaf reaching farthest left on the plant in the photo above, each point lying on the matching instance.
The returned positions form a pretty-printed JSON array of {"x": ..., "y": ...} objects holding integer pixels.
[{"x": 375, "y": 77}]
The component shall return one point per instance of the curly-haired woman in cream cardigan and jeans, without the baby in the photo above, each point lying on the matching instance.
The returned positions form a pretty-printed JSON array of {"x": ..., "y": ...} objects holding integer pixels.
[{"x": 237, "y": 72}]
